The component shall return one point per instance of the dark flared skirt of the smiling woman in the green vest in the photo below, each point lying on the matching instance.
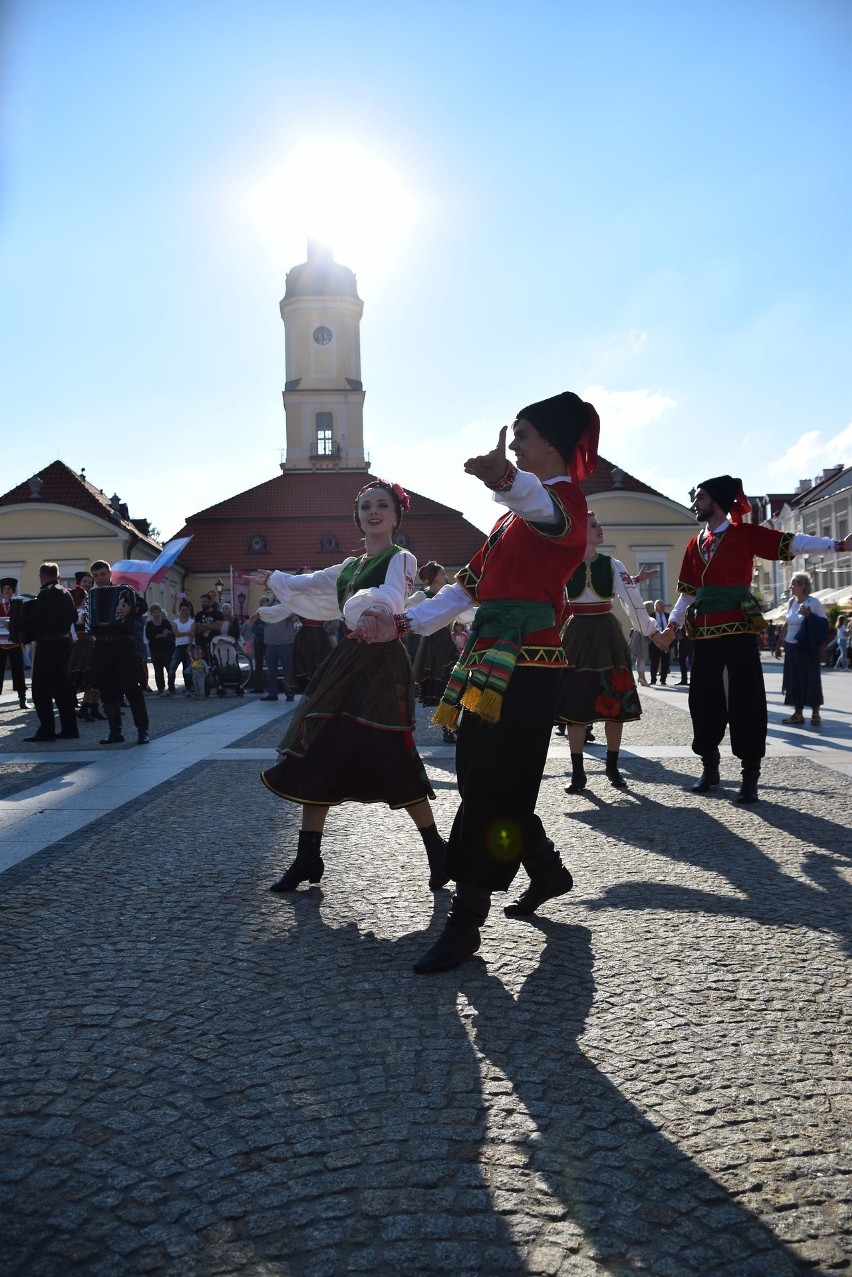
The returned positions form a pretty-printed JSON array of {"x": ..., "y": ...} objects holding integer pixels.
[{"x": 352, "y": 739}]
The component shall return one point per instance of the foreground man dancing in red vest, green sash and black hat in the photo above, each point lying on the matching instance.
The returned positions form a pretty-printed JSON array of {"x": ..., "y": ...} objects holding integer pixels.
[{"x": 509, "y": 675}]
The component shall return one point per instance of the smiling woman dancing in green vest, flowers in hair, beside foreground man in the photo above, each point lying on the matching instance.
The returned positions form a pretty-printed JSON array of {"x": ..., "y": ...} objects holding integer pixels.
[{"x": 352, "y": 740}]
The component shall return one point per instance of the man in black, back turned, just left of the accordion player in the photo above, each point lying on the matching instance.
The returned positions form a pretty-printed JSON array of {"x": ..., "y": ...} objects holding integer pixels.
[{"x": 48, "y": 623}]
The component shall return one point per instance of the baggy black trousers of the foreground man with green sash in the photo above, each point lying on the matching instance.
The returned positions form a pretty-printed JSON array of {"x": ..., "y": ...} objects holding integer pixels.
[{"x": 500, "y": 768}]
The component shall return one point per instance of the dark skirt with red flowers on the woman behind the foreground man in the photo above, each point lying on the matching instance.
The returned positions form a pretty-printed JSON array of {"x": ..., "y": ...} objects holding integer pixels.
[{"x": 598, "y": 684}]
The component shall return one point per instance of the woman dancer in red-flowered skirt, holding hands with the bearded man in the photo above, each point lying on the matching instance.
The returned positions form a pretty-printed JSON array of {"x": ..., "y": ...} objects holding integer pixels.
[{"x": 598, "y": 683}]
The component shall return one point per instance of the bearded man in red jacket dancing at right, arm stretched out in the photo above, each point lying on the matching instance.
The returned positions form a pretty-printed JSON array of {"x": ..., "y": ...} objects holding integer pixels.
[{"x": 724, "y": 619}]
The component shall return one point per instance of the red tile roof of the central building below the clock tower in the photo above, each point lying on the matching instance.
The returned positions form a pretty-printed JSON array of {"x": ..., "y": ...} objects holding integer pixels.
[{"x": 297, "y": 510}]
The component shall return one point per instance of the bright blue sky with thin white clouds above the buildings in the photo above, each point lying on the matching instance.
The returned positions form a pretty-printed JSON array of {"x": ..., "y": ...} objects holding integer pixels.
[{"x": 646, "y": 202}]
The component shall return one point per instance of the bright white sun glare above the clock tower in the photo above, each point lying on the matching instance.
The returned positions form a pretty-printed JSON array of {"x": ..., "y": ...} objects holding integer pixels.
[{"x": 338, "y": 192}]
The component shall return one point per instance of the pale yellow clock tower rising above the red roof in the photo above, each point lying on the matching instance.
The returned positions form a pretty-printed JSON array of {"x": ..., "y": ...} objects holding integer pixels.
[{"x": 324, "y": 397}]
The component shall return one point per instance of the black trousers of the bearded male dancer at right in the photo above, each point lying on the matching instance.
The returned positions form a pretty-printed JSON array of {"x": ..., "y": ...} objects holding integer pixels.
[{"x": 727, "y": 690}]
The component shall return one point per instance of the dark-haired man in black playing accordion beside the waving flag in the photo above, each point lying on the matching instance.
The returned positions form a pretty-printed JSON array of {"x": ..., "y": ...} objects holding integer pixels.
[{"x": 116, "y": 663}]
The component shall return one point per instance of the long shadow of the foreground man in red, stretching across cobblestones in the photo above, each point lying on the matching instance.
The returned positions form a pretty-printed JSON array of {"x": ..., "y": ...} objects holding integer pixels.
[{"x": 633, "y": 1201}]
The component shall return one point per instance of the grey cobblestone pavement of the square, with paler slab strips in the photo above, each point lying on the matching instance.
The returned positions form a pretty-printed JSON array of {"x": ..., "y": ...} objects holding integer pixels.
[{"x": 652, "y": 1077}]
